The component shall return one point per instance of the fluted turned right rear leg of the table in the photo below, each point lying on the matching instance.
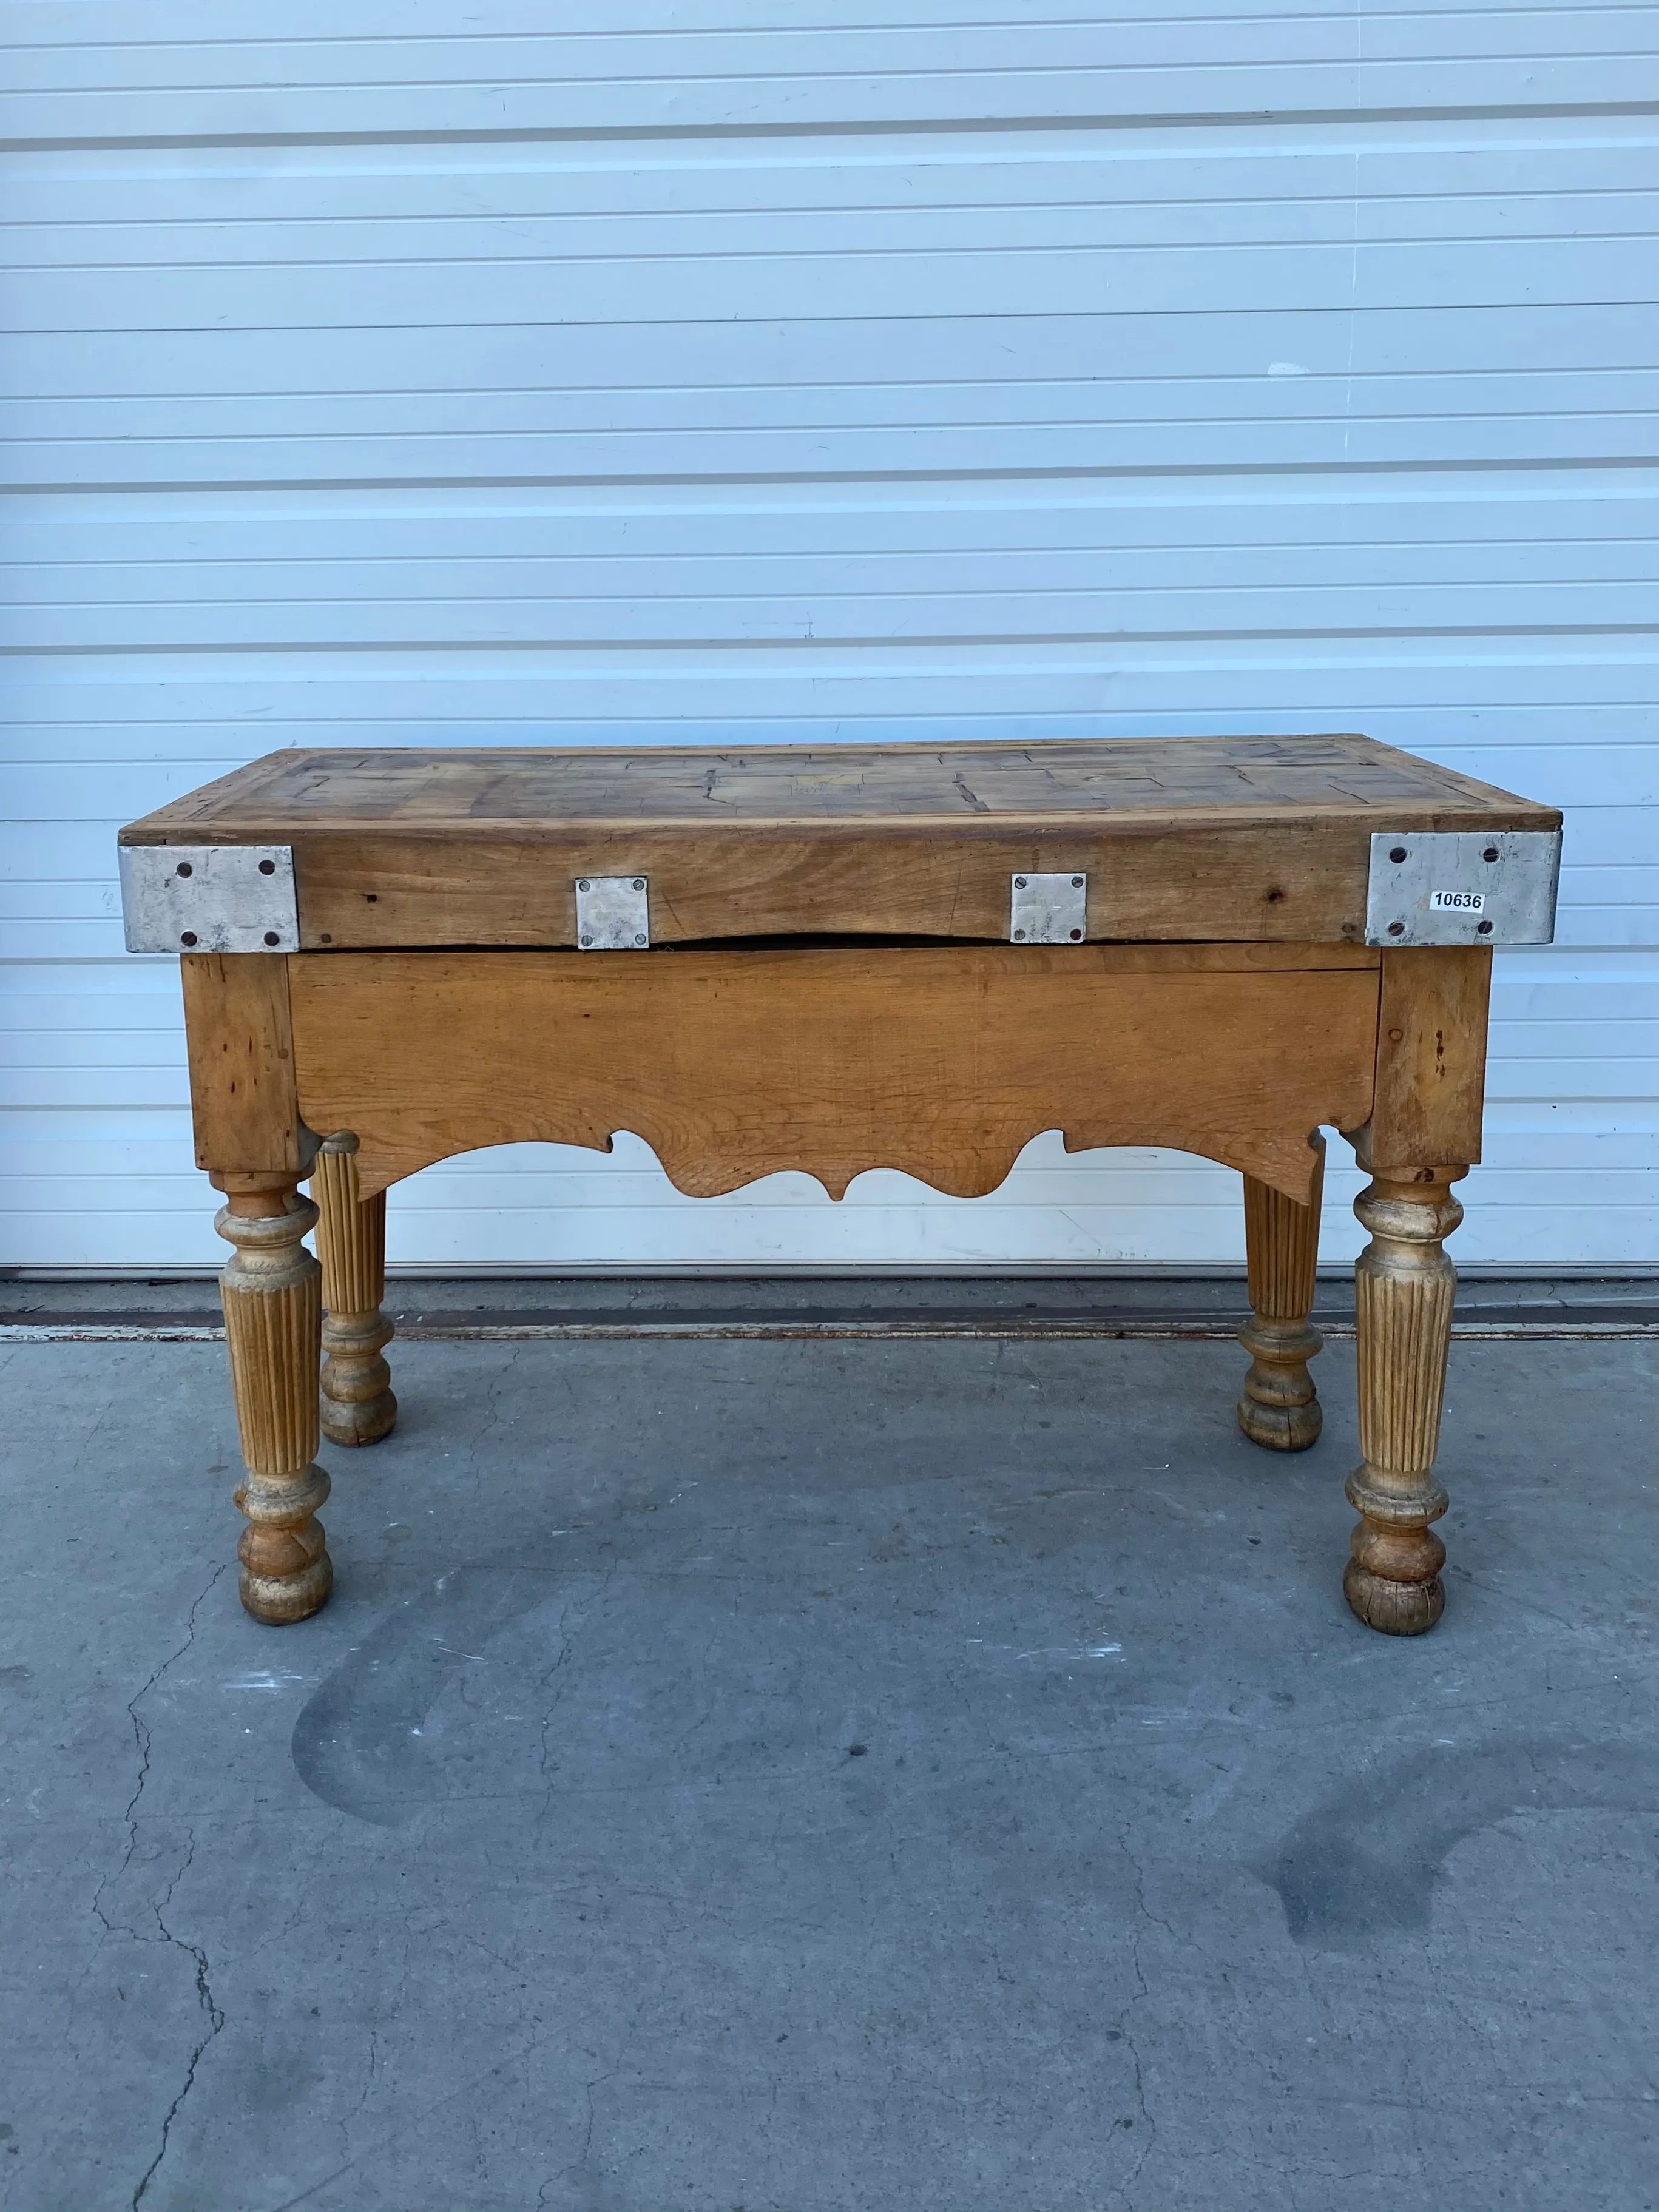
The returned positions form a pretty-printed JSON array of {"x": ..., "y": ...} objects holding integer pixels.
[{"x": 1280, "y": 1404}]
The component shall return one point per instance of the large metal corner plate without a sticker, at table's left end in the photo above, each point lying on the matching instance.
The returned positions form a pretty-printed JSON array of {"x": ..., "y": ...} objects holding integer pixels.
[{"x": 209, "y": 899}]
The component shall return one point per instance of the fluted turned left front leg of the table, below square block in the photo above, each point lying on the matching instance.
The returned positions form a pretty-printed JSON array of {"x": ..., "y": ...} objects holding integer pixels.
[{"x": 273, "y": 1324}]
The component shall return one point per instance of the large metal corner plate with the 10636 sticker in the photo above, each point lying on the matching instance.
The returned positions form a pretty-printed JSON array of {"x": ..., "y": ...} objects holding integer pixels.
[{"x": 1463, "y": 888}]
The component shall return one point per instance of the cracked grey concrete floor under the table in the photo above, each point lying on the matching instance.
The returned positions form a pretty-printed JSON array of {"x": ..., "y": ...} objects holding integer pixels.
[{"x": 828, "y": 1777}]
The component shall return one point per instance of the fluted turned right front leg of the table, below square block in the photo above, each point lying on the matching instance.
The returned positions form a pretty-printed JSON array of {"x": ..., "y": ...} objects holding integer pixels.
[{"x": 1404, "y": 1295}]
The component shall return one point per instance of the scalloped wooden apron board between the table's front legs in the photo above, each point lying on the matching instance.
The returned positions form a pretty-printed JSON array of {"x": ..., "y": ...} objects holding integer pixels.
[{"x": 735, "y": 1065}]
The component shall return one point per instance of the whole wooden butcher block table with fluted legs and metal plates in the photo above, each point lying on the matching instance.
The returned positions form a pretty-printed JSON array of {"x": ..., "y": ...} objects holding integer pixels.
[{"x": 842, "y": 959}]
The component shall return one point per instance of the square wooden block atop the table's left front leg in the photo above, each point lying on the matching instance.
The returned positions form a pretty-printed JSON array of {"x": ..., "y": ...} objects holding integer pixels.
[{"x": 240, "y": 1045}]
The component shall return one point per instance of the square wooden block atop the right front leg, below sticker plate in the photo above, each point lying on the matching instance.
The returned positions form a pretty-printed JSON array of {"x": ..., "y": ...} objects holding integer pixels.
[{"x": 1432, "y": 1058}]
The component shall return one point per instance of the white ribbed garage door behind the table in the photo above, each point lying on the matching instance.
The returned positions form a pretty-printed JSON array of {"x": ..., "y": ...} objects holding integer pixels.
[{"x": 824, "y": 368}]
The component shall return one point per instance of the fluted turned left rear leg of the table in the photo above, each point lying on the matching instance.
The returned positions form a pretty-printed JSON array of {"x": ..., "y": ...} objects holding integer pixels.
[{"x": 351, "y": 1242}]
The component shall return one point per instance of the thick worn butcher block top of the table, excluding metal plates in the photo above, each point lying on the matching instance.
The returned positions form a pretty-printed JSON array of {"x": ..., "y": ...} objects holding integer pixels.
[{"x": 1200, "y": 839}]
